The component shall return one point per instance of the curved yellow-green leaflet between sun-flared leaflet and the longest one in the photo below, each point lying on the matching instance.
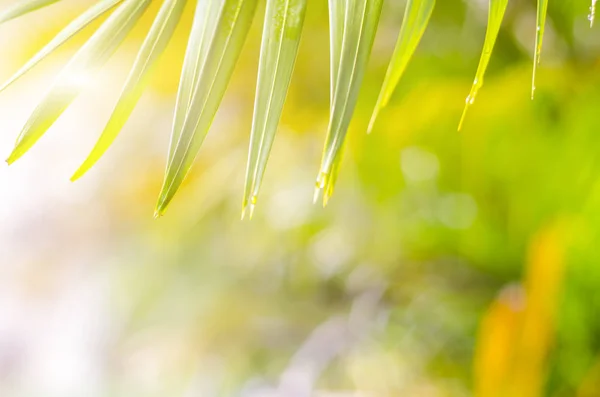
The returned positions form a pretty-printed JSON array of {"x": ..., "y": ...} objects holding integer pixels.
[{"x": 154, "y": 45}]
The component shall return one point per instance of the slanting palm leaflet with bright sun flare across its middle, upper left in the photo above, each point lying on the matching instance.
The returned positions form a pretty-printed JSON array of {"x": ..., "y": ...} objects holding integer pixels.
[{"x": 71, "y": 80}]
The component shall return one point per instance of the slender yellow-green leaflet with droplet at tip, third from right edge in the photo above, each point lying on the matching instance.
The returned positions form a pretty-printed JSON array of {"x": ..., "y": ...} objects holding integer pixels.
[{"x": 495, "y": 16}]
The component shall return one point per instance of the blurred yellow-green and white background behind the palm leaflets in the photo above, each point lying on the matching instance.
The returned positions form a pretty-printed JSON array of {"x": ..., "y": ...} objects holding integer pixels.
[{"x": 446, "y": 264}]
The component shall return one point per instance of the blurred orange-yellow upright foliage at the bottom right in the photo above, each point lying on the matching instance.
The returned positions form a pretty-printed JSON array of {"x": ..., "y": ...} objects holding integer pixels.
[{"x": 517, "y": 331}]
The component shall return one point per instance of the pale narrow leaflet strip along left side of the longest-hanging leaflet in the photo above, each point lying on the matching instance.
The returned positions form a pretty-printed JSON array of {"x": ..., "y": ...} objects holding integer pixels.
[{"x": 203, "y": 29}]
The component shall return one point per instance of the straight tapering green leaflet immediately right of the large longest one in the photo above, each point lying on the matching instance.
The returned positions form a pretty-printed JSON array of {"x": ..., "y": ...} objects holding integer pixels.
[{"x": 281, "y": 38}]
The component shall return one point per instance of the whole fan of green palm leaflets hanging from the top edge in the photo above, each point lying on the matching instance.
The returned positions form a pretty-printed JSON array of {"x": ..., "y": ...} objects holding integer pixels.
[{"x": 215, "y": 42}]
